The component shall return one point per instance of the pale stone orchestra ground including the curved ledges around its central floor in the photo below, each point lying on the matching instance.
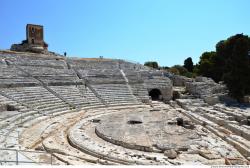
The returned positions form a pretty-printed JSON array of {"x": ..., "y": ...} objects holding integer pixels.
[{"x": 162, "y": 134}]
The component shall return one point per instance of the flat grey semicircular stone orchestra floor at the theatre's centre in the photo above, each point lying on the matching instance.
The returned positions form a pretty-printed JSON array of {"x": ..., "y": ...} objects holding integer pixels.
[{"x": 150, "y": 130}]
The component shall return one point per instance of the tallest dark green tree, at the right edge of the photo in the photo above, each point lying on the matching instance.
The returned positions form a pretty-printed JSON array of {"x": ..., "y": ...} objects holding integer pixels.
[{"x": 237, "y": 65}]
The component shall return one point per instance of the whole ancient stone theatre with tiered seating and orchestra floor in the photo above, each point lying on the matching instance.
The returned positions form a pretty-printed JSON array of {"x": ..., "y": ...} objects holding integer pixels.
[{"x": 62, "y": 110}]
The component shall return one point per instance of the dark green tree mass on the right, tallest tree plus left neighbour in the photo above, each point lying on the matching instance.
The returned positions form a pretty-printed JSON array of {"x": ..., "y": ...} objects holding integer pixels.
[{"x": 230, "y": 63}]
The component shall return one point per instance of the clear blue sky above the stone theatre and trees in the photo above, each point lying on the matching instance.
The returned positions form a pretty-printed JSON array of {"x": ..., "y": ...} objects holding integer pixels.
[{"x": 167, "y": 31}]
